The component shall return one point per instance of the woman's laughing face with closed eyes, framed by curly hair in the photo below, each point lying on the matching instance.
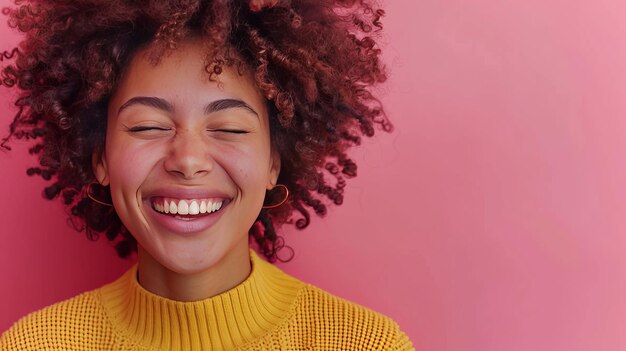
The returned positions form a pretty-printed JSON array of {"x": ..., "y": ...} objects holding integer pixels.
[{"x": 188, "y": 160}]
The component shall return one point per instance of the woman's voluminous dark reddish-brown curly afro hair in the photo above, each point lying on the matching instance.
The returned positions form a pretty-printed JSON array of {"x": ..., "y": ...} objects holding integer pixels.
[{"x": 316, "y": 62}]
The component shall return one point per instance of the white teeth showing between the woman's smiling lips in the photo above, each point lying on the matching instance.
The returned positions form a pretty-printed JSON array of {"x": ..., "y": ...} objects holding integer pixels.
[{"x": 187, "y": 209}]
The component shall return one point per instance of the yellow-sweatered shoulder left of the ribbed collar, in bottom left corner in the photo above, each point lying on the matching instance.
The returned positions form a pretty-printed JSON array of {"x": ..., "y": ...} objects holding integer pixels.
[{"x": 64, "y": 325}]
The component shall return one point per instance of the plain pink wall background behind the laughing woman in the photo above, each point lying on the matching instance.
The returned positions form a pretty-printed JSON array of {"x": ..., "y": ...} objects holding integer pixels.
[{"x": 492, "y": 219}]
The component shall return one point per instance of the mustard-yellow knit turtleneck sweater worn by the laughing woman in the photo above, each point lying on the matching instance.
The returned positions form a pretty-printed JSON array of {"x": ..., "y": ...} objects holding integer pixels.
[{"x": 270, "y": 310}]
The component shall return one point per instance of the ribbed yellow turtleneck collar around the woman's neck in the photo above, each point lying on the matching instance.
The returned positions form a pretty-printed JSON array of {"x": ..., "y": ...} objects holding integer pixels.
[{"x": 254, "y": 307}]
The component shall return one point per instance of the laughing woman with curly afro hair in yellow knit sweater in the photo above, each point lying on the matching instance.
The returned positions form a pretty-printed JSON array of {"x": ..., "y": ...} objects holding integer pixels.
[{"x": 180, "y": 130}]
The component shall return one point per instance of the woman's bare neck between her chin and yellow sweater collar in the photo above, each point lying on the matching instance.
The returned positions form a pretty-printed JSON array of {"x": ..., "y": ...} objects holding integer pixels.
[{"x": 210, "y": 281}]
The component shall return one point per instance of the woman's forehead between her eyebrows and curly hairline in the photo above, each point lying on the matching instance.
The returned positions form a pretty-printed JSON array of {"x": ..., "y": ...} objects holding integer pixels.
[{"x": 181, "y": 77}]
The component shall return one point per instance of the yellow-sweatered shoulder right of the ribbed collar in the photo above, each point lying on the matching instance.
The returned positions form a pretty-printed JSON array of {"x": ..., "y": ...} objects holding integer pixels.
[{"x": 341, "y": 324}]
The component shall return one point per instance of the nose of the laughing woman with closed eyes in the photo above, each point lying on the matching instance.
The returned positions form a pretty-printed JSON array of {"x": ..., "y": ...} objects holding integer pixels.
[{"x": 188, "y": 155}]
